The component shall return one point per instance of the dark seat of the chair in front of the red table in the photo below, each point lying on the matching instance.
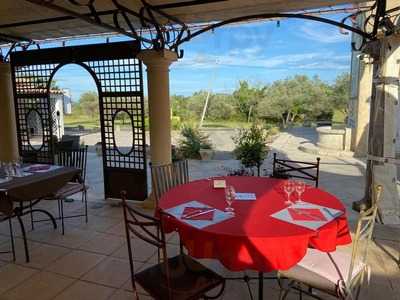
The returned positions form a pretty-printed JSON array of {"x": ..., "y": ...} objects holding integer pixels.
[{"x": 188, "y": 279}]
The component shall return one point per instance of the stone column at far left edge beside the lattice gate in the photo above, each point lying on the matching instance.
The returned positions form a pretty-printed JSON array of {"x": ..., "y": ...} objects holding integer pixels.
[{"x": 8, "y": 132}]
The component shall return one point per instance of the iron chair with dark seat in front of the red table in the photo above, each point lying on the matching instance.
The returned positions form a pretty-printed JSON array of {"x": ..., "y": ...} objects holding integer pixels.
[{"x": 179, "y": 277}]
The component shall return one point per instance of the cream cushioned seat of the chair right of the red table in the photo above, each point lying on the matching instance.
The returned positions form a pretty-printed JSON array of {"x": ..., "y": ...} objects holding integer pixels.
[{"x": 318, "y": 270}]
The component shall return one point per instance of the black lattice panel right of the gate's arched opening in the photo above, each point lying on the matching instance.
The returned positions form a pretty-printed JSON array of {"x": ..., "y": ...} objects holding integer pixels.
[{"x": 121, "y": 90}]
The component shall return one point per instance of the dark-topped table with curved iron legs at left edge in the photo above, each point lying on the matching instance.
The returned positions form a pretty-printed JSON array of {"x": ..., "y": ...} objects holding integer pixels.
[{"x": 33, "y": 187}]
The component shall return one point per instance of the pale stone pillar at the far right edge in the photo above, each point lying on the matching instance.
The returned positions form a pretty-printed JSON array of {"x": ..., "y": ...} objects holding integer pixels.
[{"x": 382, "y": 128}]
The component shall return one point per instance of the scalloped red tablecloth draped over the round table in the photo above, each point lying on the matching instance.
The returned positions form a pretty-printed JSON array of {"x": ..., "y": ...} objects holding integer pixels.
[{"x": 253, "y": 240}]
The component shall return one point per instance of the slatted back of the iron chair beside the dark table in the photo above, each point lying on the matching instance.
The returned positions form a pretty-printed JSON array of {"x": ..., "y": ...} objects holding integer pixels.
[{"x": 75, "y": 158}]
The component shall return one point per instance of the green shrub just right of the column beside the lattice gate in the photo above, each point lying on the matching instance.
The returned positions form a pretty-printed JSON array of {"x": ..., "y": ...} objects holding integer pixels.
[{"x": 192, "y": 141}]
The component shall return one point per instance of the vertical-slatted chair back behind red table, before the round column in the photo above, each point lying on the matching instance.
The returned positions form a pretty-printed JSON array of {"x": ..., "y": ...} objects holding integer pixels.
[{"x": 168, "y": 176}]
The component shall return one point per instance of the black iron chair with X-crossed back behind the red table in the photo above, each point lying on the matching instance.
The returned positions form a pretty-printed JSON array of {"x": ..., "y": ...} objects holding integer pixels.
[{"x": 283, "y": 168}]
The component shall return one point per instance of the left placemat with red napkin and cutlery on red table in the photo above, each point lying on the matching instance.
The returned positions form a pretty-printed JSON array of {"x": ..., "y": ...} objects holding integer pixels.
[{"x": 197, "y": 214}]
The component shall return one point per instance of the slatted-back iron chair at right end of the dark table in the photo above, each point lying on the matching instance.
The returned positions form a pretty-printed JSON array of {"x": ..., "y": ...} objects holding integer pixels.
[{"x": 76, "y": 158}]
